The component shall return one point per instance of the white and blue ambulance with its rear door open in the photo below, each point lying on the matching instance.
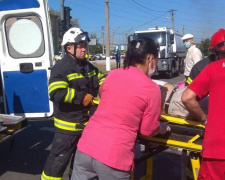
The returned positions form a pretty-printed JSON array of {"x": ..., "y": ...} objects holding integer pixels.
[{"x": 26, "y": 58}]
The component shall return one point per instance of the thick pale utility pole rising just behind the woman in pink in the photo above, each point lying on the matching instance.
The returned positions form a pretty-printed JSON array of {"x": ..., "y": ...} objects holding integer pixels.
[{"x": 108, "y": 68}]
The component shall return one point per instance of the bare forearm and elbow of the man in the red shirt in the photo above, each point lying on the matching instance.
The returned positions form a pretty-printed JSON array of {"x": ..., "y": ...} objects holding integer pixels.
[{"x": 189, "y": 99}]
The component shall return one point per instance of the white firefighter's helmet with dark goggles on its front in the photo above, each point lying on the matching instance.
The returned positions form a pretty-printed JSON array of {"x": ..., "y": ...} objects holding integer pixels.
[{"x": 74, "y": 35}]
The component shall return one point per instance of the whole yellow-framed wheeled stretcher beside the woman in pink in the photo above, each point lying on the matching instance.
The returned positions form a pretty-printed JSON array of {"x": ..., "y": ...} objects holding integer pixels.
[{"x": 184, "y": 135}]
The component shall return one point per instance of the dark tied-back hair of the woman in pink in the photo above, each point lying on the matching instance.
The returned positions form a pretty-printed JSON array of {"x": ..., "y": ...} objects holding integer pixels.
[{"x": 138, "y": 50}]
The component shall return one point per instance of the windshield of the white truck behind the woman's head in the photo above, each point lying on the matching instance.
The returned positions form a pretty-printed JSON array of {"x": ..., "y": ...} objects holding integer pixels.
[{"x": 158, "y": 37}]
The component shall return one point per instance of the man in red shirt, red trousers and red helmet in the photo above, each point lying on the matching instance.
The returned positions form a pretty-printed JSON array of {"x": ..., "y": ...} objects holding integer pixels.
[{"x": 211, "y": 81}]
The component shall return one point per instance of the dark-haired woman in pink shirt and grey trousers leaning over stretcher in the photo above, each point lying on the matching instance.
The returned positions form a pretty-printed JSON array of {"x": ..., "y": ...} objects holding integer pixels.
[{"x": 130, "y": 104}]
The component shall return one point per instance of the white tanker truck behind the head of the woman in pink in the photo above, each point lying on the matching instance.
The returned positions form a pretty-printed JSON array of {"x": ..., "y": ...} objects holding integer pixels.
[{"x": 171, "y": 50}]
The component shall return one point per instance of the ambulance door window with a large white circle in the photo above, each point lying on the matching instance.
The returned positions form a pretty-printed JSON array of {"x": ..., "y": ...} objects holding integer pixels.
[{"x": 24, "y": 37}]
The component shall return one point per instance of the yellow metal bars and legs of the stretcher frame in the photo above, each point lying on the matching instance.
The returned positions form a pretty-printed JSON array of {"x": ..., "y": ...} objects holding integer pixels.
[{"x": 189, "y": 145}]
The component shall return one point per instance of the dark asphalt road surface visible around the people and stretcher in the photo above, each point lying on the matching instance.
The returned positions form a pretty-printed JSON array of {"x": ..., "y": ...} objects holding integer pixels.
[{"x": 31, "y": 147}]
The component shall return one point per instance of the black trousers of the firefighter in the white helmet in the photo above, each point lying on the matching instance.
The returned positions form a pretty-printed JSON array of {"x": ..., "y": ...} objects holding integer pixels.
[{"x": 63, "y": 148}]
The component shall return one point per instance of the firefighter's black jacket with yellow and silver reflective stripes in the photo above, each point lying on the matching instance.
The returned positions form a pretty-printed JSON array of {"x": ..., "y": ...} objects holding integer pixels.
[{"x": 69, "y": 82}]
